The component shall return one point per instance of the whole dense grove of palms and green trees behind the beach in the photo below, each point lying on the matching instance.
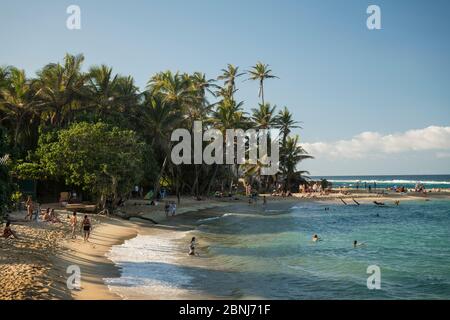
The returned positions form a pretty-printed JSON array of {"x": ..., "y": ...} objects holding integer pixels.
[{"x": 95, "y": 130}]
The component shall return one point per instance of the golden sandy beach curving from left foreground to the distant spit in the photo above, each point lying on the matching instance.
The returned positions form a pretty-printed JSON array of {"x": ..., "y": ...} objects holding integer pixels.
[{"x": 35, "y": 265}]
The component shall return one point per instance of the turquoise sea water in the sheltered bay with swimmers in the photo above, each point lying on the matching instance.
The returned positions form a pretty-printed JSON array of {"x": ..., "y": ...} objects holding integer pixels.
[{"x": 252, "y": 251}]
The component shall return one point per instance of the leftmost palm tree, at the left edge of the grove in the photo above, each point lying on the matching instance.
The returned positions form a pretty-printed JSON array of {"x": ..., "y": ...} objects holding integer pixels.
[{"x": 17, "y": 100}]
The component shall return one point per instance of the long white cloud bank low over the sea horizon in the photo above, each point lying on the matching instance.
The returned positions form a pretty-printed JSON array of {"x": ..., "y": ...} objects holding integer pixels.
[{"x": 373, "y": 144}]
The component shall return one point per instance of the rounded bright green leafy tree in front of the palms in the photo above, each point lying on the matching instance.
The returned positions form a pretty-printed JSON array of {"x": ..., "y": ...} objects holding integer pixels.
[{"x": 101, "y": 159}]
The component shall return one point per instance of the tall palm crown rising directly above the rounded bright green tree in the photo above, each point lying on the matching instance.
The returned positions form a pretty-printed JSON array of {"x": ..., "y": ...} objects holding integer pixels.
[{"x": 59, "y": 87}]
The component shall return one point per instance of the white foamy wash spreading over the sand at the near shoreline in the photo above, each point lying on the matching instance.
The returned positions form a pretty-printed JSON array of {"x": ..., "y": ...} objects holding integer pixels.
[{"x": 149, "y": 267}]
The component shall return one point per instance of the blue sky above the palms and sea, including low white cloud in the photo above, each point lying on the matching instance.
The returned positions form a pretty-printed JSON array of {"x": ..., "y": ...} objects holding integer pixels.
[{"x": 336, "y": 76}]
